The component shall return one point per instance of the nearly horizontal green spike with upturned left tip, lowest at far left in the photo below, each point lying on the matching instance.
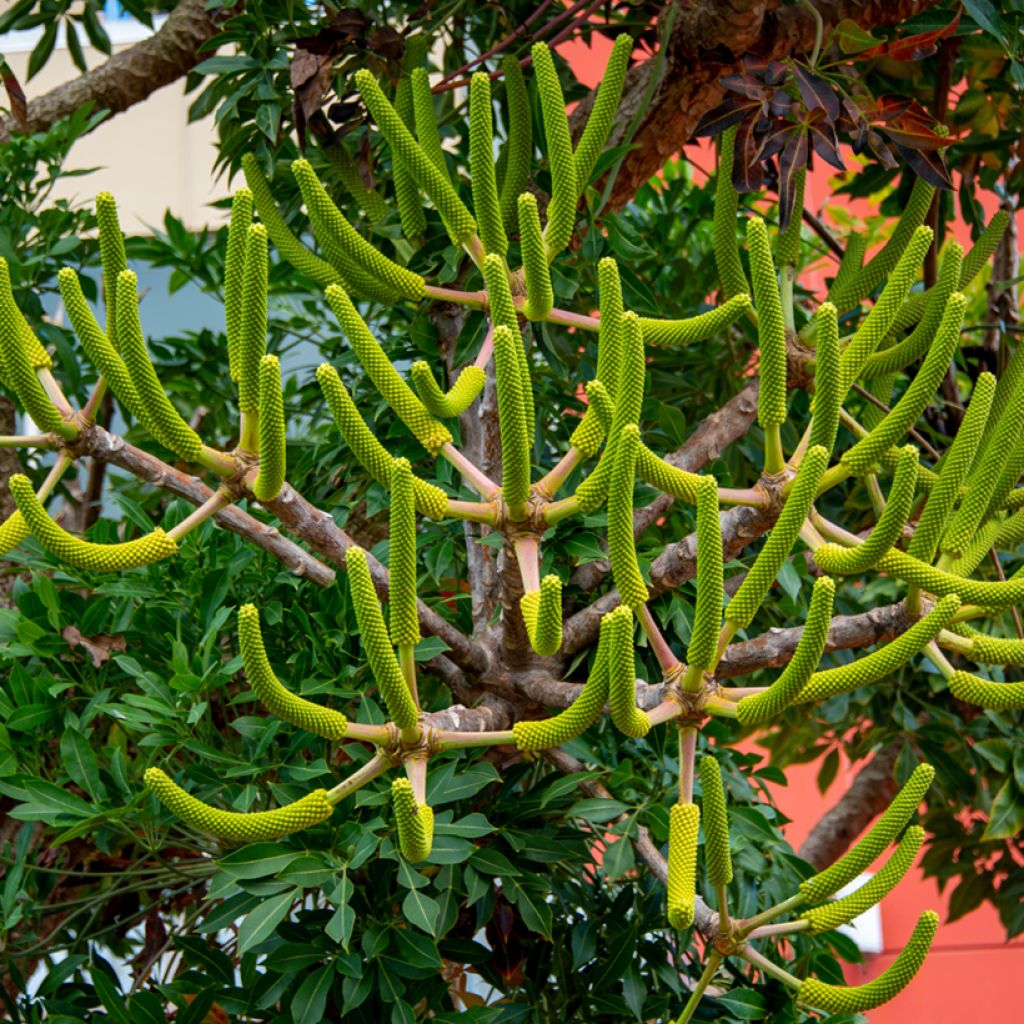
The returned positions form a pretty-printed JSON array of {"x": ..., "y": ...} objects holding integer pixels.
[{"x": 311, "y": 810}]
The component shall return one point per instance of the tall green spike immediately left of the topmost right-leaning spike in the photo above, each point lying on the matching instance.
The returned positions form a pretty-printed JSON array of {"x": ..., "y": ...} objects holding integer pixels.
[{"x": 562, "y": 163}]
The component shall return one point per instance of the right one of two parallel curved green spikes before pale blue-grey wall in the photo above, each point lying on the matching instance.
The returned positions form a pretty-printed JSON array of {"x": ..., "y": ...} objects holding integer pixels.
[{"x": 159, "y": 417}]
